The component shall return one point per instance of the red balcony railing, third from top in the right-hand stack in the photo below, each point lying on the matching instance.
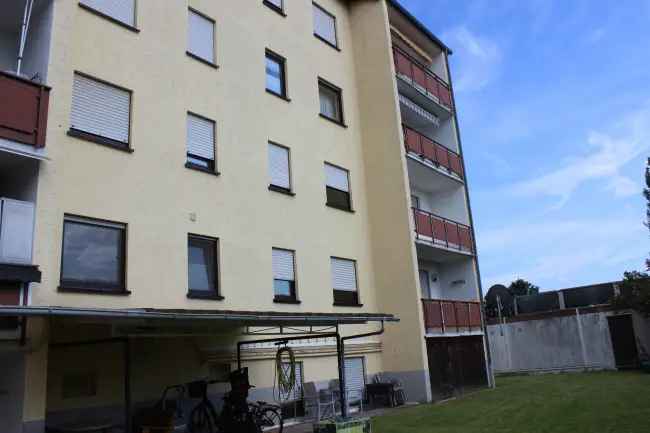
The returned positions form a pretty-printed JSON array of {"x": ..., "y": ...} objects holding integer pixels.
[{"x": 441, "y": 231}]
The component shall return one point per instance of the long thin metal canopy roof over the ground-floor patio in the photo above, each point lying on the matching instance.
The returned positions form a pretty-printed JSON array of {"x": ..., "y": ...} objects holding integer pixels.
[{"x": 244, "y": 318}]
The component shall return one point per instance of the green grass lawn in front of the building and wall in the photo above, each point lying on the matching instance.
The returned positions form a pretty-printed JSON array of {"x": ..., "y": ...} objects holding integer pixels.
[{"x": 577, "y": 403}]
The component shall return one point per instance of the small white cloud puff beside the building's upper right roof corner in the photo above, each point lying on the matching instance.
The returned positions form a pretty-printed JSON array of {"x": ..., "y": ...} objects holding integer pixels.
[{"x": 478, "y": 59}]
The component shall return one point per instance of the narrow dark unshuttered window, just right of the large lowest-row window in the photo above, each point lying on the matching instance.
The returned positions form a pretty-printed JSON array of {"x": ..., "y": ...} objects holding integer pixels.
[{"x": 202, "y": 267}]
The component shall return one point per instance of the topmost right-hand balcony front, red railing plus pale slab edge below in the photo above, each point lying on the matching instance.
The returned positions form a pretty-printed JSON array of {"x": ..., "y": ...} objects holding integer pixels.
[{"x": 421, "y": 85}]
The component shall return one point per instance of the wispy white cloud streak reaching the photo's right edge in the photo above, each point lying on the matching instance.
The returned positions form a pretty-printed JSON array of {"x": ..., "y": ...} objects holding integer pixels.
[{"x": 605, "y": 158}]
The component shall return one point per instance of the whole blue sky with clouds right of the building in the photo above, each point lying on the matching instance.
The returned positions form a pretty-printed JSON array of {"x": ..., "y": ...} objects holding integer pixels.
[{"x": 553, "y": 100}]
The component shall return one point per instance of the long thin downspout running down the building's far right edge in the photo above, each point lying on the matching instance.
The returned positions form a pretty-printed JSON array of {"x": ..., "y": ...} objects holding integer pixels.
[{"x": 488, "y": 358}]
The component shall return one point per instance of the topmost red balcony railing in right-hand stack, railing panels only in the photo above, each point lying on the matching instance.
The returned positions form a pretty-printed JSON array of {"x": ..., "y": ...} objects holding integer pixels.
[{"x": 422, "y": 77}]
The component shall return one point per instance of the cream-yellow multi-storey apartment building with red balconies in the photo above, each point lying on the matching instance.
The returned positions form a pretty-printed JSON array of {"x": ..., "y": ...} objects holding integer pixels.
[{"x": 177, "y": 177}]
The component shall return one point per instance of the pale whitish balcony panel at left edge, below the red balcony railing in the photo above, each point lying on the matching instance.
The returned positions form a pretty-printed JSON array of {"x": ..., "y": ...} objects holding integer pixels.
[{"x": 16, "y": 231}]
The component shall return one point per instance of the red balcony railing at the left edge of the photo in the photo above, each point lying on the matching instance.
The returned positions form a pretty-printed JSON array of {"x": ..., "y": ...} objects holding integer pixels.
[{"x": 23, "y": 110}]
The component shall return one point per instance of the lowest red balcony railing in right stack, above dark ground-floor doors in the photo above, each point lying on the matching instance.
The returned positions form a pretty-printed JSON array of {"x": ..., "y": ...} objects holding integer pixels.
[{"x": 451, "y": 316}]
